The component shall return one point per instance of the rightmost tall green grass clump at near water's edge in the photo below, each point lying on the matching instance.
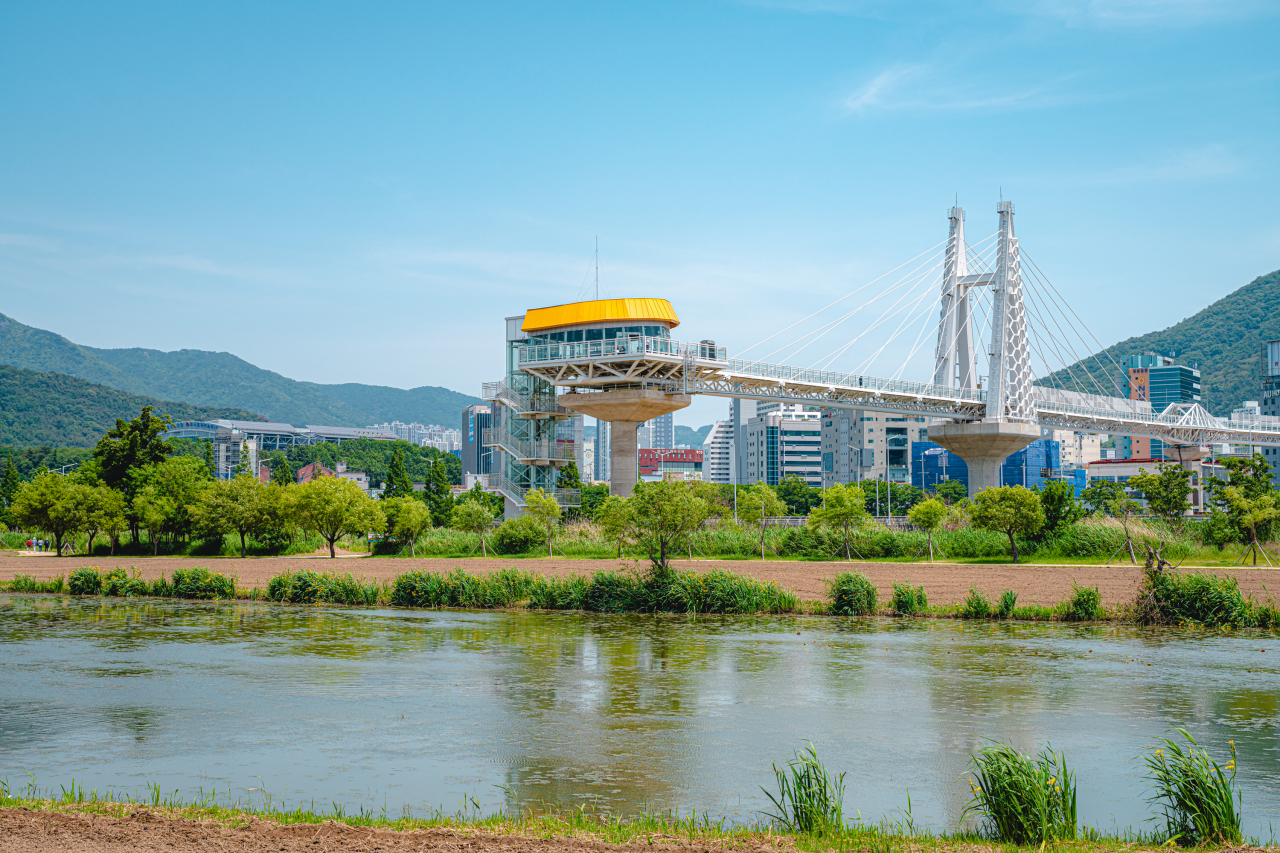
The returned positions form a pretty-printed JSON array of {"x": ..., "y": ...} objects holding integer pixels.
[{"x": 1197, "y": 796}]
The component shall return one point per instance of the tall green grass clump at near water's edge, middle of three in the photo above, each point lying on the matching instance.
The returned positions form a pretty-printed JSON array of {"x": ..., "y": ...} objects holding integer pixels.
[{"x": 1026, "y": 801}]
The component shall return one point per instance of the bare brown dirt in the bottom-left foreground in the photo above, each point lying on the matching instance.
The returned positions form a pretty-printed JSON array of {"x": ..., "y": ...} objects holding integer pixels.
[{"x": 28, "y": 832}]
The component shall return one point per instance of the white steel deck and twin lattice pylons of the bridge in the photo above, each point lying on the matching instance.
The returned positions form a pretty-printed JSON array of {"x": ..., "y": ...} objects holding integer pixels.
[{"x": 957, "y": 394}]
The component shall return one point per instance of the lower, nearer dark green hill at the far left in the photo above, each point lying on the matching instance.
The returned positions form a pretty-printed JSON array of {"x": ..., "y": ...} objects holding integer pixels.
[{"x": 57, "y": 410}]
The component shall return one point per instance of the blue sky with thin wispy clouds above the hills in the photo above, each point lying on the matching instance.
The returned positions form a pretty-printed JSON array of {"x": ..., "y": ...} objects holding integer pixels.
[{"x": 362, "y": 193}]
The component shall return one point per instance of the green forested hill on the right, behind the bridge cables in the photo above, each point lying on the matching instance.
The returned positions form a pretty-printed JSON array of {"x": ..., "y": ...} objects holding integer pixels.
[{"x": 1226, "y": 340}]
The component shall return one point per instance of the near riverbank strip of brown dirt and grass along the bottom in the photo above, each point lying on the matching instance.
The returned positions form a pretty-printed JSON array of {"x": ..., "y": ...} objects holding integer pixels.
[{"x": 49, "y": 827}]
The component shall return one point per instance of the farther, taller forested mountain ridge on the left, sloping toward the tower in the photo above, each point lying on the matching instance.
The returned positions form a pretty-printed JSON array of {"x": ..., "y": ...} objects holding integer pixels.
[{"x": 222, "y": 380}]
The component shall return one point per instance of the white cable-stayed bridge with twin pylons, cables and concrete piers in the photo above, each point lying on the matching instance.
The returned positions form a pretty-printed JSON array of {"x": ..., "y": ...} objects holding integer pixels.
[{"x": 984, "y": 400}]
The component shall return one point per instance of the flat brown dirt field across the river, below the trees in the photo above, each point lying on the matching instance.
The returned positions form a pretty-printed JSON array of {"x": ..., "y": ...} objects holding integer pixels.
[{"x": 945, "y": 583}]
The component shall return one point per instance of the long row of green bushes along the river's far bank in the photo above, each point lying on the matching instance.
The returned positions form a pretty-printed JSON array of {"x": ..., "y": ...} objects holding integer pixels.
[{"x": 1165, "y": 599}]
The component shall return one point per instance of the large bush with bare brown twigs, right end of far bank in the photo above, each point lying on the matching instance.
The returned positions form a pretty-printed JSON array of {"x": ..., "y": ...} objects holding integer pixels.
[{"x": 1171, "y": 599}]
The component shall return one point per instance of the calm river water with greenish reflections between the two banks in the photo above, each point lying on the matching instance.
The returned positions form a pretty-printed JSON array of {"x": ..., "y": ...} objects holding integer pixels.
[{"x": 419, "y": 709}]
